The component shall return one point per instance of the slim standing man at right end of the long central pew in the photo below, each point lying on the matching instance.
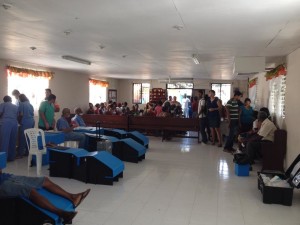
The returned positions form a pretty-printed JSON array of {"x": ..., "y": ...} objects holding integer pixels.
[{"x": 202, "y": 112}]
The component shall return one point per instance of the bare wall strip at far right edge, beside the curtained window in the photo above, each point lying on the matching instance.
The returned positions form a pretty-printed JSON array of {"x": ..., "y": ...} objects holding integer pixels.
[{"x": 292, "y": 120}]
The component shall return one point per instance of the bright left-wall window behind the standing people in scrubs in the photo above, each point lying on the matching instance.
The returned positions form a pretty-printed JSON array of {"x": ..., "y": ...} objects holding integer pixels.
[{"x": 33, "y": 87}]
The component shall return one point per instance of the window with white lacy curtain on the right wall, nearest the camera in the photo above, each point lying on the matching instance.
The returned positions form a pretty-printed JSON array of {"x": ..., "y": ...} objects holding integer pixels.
[{"x": 277, "y": 96}]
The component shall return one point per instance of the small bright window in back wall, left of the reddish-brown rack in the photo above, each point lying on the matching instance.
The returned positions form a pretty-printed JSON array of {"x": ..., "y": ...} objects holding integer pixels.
[{"x": 141, "y": 93}]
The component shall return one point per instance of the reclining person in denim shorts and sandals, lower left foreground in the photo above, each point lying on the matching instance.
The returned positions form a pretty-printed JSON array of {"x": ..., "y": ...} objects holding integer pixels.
[{"x": 22, "y": 186}]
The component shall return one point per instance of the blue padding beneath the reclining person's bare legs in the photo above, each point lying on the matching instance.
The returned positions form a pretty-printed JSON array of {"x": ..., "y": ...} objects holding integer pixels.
[{"x": 57, "y": 201}]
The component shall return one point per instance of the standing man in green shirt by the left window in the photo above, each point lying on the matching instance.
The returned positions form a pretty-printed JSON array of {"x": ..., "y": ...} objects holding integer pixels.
[{"x": 46, "y": 113}]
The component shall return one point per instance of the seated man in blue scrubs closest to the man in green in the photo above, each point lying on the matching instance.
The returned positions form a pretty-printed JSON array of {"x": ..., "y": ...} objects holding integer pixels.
[{"x": 63, "y": 125}]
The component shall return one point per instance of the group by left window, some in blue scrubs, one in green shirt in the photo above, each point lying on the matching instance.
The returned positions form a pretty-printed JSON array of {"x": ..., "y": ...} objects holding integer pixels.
[{"x": 22, "y": 112}]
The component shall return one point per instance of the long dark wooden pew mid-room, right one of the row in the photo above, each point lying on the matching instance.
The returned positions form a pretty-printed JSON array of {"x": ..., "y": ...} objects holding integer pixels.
[{"x": 165, "y": 124}]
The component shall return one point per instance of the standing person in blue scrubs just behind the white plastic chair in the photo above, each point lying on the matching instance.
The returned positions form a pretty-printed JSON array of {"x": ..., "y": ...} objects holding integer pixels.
[{"x": 26, "y": 120}]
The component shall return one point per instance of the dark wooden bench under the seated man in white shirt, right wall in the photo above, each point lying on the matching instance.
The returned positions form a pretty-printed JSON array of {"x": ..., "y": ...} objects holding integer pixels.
[{"x": 274, "y": 153}]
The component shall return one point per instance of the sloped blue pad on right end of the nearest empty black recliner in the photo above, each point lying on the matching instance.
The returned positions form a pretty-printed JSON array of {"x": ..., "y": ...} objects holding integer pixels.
[{"x": 115, "y": 164}]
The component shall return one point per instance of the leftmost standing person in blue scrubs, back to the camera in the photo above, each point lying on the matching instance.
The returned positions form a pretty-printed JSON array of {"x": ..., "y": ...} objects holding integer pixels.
[{"x": 9, "y": 128}]
